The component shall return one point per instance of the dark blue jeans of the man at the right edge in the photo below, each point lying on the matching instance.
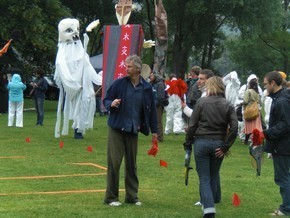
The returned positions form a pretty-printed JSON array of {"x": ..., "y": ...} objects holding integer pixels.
[{"x": 282, "y": 179}]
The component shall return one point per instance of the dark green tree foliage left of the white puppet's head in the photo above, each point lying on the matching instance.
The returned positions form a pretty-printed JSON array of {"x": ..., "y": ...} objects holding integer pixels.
[{"x": 36, "y": 21}]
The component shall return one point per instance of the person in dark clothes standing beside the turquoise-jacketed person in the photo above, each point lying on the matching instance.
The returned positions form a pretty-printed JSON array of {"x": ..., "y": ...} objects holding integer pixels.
[{"x": 39, "y": 88}]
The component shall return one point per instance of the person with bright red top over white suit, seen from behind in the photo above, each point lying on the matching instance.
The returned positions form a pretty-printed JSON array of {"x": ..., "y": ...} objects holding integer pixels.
[{"x": 177, "y": 89}]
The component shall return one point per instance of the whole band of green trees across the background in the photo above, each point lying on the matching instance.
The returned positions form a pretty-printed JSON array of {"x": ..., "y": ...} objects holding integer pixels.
[{"x": 195, "y": 28}]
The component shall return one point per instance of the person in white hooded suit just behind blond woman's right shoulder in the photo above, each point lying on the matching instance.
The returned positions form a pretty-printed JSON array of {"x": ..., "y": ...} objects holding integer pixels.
[{"x": 232, "y": 84}]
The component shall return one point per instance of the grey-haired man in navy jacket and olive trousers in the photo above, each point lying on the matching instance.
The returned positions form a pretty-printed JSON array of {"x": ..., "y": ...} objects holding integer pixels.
[{"x": 131, "y": 106}]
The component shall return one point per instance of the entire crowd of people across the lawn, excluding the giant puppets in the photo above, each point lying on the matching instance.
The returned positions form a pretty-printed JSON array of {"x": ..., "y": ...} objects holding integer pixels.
[{"x": 203, "y": 108}]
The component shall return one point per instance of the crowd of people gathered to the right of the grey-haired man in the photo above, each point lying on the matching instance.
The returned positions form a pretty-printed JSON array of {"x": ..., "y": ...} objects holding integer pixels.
[{"x": 204, "y": 107}]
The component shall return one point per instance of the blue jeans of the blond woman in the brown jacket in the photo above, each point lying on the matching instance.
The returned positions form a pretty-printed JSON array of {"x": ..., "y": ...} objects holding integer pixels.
[{"x": 208, "y": 167}]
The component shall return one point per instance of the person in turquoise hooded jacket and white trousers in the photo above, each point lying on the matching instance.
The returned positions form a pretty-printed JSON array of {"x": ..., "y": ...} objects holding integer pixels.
[{"x": 16, "y": 88}]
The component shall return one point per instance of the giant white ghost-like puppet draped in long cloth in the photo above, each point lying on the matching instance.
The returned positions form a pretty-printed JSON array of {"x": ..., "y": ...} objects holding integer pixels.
[{"x": 74, "y": 75}]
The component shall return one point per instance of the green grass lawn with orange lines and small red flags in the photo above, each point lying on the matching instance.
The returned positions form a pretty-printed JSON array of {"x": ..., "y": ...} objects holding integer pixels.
[{"x": 39, "y": 179}]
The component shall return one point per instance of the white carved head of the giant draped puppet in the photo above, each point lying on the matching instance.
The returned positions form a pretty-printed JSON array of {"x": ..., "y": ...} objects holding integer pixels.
[{"x": 68, "y": 30}]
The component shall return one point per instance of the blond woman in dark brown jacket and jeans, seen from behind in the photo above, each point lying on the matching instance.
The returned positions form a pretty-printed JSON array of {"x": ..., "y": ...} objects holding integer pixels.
[{"x": 213, "y": 127}]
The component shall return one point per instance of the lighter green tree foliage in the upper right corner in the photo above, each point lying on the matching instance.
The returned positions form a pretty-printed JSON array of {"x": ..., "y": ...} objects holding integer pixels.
[{"x": 264, "y": 44}]
